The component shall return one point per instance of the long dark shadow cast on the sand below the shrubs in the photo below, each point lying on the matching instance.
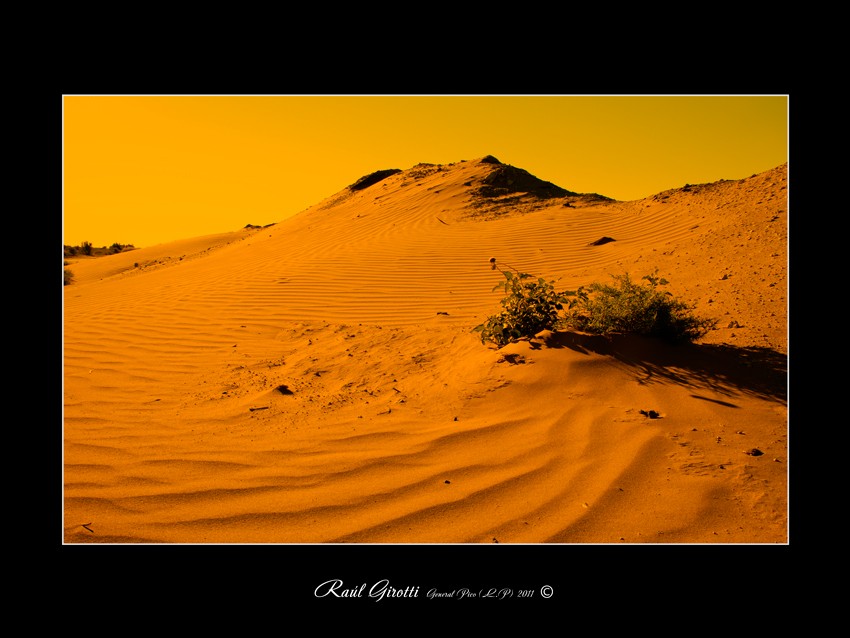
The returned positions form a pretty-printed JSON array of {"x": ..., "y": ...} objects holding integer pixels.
[{"x": 722, "y": 369}]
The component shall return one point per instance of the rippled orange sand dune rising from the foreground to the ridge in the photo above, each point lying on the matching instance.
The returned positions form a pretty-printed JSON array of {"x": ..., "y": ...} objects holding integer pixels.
[{"x": 318, "y": 380}]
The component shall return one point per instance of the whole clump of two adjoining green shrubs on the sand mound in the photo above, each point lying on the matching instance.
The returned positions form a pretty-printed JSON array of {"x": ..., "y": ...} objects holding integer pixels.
[{"x": 625, "y": 307}]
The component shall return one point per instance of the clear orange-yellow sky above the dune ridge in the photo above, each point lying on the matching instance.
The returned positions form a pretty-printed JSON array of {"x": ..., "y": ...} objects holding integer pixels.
[{"x": 144, "y": 170}]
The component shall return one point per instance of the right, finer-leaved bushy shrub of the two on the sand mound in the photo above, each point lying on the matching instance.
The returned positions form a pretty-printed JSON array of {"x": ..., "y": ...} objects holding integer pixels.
[{"x": 632, "y": 308}]
